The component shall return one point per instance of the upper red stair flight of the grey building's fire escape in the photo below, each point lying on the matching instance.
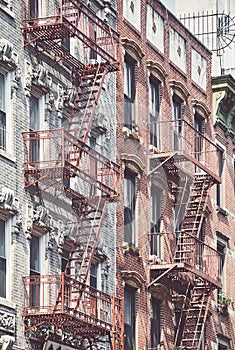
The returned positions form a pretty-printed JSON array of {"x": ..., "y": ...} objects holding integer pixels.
[{"x": 88, "y": 94}]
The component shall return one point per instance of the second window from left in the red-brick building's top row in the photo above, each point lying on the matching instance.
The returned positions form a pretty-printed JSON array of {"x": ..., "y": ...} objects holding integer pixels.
[{"x": 154, "y": 113}]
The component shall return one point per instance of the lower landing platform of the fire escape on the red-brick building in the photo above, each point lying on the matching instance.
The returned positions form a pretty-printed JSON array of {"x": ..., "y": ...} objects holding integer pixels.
[{"x": 184, "y": 267}]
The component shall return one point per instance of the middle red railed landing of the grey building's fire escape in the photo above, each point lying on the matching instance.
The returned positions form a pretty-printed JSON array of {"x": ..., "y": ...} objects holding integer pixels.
[{"x": 54, "y": 155}]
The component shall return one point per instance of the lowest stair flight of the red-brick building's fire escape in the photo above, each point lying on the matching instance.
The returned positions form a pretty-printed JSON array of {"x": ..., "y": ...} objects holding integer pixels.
[{"x": 196, "y": 316}]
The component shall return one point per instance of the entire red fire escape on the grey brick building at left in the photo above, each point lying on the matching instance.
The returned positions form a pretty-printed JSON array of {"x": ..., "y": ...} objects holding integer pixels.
[{"x": 64, "y": 304}]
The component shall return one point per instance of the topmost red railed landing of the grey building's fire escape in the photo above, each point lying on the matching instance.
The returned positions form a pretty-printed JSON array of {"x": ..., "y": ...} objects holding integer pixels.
[{"x": 72, "y": 19}]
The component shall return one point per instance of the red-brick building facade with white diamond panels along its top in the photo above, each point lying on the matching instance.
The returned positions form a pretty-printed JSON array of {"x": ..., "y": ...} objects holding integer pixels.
[{"x": 167, "y": 143}]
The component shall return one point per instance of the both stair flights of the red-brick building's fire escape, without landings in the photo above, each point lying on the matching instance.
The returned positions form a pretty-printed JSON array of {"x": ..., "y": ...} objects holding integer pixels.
[{"x": 193, "y": 318}]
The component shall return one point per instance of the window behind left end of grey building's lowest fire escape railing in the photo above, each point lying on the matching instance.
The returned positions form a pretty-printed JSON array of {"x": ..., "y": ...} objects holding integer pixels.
[{"x": 35, "y": 270}]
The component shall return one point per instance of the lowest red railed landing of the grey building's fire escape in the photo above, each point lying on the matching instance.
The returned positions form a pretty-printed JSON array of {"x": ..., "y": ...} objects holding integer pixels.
[{"x": 96, "y": 308}]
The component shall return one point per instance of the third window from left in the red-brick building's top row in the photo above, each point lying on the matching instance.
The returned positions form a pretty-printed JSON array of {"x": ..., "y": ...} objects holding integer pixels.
[{"x": 177, "y": 123}]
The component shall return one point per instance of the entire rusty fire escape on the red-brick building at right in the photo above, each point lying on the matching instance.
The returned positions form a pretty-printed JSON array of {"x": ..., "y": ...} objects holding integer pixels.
[{"x": 189, "y": 160}]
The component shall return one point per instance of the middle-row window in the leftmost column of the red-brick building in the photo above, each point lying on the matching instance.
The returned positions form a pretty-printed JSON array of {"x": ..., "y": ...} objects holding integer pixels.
[{"x": 129, "y": 206}]
